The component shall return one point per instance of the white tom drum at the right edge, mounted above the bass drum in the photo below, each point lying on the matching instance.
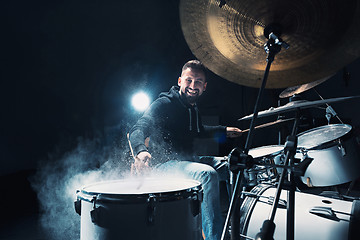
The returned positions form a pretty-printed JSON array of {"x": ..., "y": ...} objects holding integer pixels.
[{"x": 335, "y": 155}]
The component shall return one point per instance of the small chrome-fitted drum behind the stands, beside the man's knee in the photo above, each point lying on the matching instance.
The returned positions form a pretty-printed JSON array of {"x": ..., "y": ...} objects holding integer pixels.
[{"x": 264, "y": 154}]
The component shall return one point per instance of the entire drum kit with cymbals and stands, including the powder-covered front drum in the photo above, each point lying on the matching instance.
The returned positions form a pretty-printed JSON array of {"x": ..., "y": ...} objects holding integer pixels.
[{"x": 228, "y": 36}]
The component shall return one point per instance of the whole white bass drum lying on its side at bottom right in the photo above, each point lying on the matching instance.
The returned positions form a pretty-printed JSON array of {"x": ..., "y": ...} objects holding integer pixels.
[{"x": 316, "y": 217}]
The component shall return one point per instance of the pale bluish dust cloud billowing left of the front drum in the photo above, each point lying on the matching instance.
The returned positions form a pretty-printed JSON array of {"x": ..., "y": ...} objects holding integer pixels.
[{"x": 59, "y": 177}]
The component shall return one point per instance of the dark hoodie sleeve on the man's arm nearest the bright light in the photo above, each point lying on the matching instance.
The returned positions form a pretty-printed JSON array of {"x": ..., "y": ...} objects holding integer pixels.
[{"x": 143, "y": 127}]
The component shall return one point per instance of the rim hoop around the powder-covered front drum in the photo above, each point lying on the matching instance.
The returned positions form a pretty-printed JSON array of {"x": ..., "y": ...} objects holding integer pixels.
[{"x": 89, "y": 196}]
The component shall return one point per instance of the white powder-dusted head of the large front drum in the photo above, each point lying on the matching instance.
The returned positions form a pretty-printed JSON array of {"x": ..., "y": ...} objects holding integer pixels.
[{"x": 141, "y": 186}]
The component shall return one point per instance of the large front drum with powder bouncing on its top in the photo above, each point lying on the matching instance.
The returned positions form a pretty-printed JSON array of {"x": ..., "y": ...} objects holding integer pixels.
[{"x": 140, "y": 209}]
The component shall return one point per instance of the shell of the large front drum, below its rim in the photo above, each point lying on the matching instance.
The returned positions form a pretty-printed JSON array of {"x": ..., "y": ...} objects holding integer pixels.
[{"x": 126, "y": 219}]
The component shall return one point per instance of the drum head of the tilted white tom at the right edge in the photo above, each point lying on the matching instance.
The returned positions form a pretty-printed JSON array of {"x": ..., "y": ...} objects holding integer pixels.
[{"x": 321, "y": 135}]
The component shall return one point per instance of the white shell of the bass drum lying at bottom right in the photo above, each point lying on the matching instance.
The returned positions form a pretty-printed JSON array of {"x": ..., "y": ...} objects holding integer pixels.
[{"x": 308, "y": 226}]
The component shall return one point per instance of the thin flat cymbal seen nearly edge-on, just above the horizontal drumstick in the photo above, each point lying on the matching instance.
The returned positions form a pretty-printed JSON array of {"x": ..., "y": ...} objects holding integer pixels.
[{"x": 300, "y": 104}]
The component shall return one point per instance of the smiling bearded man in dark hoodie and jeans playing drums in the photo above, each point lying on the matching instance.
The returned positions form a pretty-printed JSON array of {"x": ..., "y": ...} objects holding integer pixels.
[{"x": 173, "y": 122}]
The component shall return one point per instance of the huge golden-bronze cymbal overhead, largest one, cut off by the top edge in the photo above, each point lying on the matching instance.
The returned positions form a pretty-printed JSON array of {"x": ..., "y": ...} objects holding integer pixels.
[{"x": 323, "y": 36}]
